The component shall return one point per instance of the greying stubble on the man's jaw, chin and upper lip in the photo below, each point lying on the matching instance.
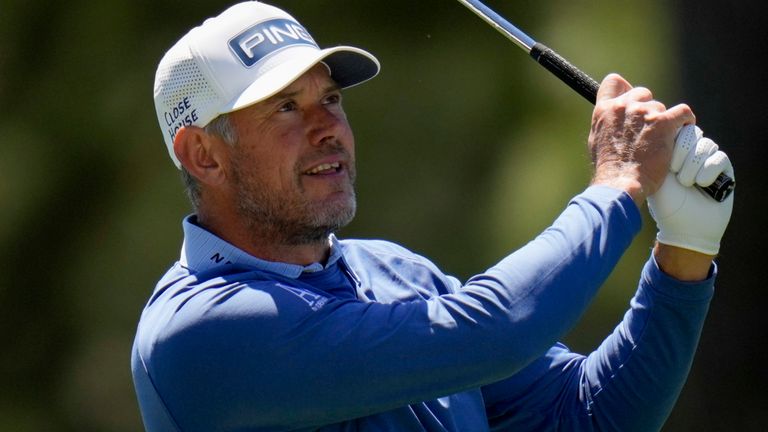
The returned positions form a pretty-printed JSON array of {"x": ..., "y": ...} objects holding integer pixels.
[{"x": 290, "y": 217}]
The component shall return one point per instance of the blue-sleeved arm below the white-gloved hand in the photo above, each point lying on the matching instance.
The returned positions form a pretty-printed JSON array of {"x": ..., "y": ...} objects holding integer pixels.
[{"x": 630, "y": 383}]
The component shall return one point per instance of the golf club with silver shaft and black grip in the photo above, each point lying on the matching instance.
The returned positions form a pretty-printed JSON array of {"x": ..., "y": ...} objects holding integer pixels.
[{"x": 570, "y": 75}]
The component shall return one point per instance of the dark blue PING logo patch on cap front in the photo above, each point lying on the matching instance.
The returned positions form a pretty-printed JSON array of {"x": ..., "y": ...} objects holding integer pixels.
[{"x": 262, "y": 39}]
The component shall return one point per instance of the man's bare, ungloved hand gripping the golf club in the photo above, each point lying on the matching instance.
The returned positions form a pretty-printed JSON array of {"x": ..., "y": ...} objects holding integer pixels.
[{"x": 632, "y": 137}]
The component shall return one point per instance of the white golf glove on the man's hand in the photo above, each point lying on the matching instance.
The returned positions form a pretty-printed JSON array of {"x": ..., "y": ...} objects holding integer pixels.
[{"x": 685, "y": 216}]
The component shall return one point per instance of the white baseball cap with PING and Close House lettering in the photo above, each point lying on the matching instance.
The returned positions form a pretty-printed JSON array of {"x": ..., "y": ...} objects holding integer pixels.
[{"x": 248, "y": 53}]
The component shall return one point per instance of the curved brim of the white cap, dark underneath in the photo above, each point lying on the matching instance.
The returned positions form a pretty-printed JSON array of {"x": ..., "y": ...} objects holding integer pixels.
[{"x": 349, "y": 66}]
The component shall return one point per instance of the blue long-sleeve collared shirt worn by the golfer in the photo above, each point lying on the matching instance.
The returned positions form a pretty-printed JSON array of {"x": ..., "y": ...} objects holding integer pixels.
[{"x": 379, "y": 339}]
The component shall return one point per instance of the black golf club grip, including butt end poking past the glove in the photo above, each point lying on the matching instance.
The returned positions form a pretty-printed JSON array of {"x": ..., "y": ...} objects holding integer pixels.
[{"x": 587, "y": 87}]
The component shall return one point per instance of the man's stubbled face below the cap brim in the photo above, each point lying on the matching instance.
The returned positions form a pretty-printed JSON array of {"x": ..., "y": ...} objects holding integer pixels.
[{"x": 293, "y": 166}]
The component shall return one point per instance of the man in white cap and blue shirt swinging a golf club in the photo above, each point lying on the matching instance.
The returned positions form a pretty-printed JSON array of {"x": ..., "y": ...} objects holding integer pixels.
[{"x": 269, "y": 322}]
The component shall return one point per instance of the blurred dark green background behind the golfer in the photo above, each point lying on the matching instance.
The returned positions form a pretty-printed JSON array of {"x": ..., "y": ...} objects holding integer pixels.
[{"x": 466, "y": 149}]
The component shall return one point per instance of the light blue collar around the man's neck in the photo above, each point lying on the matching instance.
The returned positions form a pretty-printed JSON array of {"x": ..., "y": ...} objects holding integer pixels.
[{"x": 203, "y": 250}]
